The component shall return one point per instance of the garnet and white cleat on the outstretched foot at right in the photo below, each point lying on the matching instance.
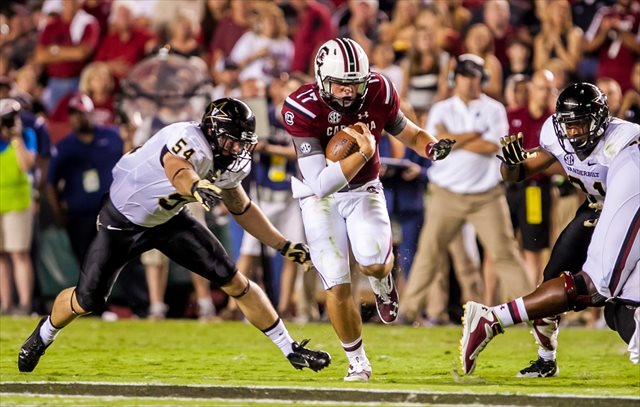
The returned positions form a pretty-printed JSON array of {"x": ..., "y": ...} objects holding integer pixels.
[{"x": 480, "y": 325}]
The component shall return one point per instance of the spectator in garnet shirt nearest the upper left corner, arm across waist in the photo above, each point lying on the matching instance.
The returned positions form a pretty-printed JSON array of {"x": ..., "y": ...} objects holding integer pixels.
[{"x": 65, "y": 45}]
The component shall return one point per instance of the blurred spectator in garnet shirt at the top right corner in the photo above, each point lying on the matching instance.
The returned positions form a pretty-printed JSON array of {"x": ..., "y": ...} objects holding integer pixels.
[{"x": 614, "y": 34}]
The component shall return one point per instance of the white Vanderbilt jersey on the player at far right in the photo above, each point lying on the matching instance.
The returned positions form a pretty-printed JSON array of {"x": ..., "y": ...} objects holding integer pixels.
[{"x": 590, "y": 175}]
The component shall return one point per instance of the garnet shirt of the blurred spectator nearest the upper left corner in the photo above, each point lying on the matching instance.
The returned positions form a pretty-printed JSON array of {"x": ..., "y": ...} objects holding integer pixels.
[{"x": 57, "y": 32}]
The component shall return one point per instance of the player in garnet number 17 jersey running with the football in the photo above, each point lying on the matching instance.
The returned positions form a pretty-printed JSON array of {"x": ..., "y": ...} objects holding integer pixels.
[{"x": 342, "y": 202}]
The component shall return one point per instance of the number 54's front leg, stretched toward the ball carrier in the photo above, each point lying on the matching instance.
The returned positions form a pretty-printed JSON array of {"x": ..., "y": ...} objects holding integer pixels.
[{"x": 193, "y": 246}]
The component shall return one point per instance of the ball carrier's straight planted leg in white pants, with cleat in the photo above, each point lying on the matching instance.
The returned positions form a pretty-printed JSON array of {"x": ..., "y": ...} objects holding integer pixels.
[{"x": 326, "y": 234}]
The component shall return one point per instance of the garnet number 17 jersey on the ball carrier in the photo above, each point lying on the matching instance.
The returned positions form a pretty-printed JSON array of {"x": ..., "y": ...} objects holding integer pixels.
[{"x": 312, "y": 122}]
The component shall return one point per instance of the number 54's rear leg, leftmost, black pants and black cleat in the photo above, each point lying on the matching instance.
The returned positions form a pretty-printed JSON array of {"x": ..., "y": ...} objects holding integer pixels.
[{"x": 109, "y": 251}]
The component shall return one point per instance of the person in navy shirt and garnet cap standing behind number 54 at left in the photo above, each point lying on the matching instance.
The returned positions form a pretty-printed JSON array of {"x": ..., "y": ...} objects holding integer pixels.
[{"x": 80, "y": 174}]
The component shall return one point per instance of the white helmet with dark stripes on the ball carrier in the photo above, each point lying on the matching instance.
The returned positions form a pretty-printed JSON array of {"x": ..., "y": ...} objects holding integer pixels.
[{"x": 342, "y": 61}]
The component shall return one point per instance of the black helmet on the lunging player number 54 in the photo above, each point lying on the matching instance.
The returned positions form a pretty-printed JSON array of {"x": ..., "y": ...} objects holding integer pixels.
[{"x": 229, "y": 125}]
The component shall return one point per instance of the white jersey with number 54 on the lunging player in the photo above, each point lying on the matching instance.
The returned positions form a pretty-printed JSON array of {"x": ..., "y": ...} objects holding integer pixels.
[{"x": 141, "y": 190}]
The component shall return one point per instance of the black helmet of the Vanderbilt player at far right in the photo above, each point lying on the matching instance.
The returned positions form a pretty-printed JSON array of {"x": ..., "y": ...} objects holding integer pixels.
[{"x": 581, "y": 106}]
